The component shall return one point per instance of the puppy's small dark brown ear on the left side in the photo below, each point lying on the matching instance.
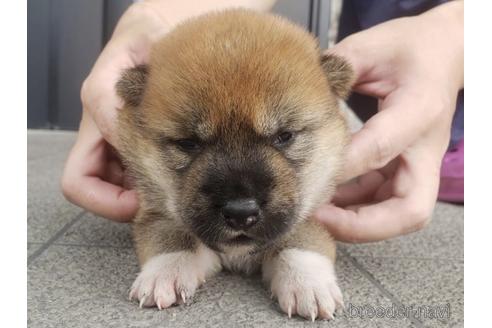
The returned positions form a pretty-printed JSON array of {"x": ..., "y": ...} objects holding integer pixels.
[{"x": 131, "y": 86}]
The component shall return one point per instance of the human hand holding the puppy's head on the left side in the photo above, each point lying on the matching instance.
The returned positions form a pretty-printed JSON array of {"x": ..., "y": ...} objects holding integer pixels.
[{"x": 93, "y": 177}]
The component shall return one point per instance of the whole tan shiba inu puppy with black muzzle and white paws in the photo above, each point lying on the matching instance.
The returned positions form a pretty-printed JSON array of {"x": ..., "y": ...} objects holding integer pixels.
[{"x": 233, "y": 136}]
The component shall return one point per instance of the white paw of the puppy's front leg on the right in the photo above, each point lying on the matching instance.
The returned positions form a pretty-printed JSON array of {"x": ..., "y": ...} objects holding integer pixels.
[{"x": 304, "y": 283}]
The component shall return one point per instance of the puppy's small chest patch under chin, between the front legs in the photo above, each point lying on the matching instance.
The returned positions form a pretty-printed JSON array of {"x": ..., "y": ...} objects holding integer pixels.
[{"x": 240, "y": 260}]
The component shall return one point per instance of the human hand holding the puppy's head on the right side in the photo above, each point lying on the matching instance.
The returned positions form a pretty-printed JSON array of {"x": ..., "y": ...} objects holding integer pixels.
[{"x": 414, "y": 66}]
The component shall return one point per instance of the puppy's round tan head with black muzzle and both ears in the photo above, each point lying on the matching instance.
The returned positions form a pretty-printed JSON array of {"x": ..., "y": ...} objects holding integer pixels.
[{"x": 235, "y": 126}]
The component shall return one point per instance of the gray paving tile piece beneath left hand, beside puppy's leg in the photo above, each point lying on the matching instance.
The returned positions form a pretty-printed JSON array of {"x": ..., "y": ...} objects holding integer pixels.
[{"x": 93, "y": 230}]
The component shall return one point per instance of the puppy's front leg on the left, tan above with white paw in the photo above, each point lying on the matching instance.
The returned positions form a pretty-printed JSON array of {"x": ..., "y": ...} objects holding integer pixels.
[{"x": 173, "y": 263}]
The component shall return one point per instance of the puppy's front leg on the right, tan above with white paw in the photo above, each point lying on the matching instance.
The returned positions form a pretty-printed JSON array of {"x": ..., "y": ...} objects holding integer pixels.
[{"x": 300, "y": 271}]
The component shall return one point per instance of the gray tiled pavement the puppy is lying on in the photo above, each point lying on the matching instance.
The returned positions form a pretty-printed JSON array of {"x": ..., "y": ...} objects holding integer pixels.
[{"x": 80, "y": 269}]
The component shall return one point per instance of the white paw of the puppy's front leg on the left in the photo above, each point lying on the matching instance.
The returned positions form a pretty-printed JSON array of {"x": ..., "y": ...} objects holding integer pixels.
[{"x": 171, "y": 278}]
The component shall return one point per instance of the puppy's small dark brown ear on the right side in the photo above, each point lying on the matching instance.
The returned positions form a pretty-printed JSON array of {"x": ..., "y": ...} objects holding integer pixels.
[{"x": 339, "y": 73}]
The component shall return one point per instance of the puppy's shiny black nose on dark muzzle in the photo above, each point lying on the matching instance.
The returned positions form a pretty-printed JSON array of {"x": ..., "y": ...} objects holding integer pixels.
[{"x": 241, "y": 214}]
